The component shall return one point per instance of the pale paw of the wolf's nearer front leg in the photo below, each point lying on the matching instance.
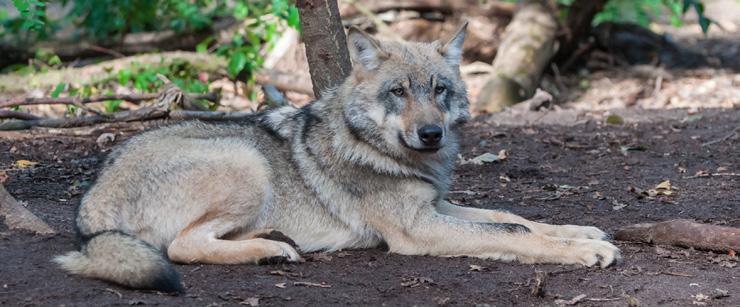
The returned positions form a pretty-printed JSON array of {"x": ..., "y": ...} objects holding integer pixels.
[{"x": 591, "y": 252}]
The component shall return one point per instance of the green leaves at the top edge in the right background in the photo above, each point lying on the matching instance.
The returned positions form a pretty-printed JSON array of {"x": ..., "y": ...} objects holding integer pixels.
[{"x": 643, "y": 12}]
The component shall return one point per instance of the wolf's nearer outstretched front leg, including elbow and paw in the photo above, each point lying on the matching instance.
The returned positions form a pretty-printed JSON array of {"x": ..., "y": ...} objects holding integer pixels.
[{"x": 432, "y": 233}]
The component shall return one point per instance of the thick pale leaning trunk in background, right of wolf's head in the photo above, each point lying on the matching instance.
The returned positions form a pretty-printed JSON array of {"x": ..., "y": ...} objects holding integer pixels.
[{"x": 526, "y": 49}]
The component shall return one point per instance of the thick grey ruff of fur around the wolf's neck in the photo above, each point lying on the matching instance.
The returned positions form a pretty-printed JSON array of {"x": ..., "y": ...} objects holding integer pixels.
[{"x": 322, "y": 135}]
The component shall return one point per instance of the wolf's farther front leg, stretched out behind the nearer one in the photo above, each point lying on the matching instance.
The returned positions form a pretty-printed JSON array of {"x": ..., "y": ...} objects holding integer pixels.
[{"x": 497, "y": 216}]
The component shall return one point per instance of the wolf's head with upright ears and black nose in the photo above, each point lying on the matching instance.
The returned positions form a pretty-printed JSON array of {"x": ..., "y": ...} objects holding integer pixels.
[{"x": 406, "y": 98}]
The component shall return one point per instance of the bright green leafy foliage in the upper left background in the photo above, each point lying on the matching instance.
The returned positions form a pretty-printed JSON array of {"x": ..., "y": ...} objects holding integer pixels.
[{"x": 106, "y": 22}]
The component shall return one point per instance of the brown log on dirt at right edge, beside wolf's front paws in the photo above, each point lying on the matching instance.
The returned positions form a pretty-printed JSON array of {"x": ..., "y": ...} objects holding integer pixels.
[{"x": 684, "y": 233}]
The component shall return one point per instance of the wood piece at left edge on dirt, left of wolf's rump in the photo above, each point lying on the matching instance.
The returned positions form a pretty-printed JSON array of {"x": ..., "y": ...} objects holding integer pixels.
[{"x": 18, "y": 217}]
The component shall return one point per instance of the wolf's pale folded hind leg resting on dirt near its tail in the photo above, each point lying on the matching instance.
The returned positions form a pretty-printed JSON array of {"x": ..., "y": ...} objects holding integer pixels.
[{"x": 202, "y": 245}]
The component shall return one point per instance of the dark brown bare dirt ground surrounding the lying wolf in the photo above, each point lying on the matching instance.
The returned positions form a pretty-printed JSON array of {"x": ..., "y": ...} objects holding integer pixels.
[{"x": 556, "y": 174}]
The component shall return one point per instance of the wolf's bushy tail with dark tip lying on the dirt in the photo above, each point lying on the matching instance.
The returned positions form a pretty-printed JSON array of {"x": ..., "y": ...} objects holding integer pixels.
[{"x": 123, "y": 259}]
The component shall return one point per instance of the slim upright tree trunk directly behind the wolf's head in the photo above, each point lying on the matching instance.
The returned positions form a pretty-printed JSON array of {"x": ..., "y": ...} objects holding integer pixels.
[{"x": 326, "y": 43}]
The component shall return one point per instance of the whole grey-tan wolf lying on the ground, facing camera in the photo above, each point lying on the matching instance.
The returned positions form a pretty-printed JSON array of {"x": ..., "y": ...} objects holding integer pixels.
[{"x": 368, "y": 163}]
